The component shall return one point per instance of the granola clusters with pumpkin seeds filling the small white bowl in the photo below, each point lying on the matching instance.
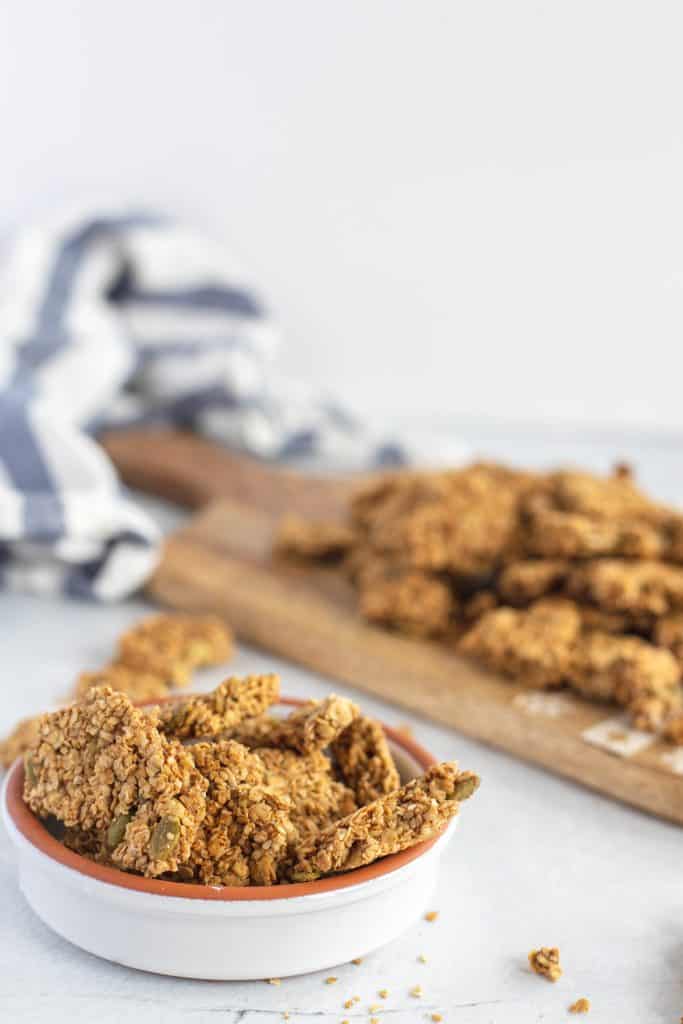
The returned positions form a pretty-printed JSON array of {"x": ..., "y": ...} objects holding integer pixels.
[{"x": 173, "y": 792}]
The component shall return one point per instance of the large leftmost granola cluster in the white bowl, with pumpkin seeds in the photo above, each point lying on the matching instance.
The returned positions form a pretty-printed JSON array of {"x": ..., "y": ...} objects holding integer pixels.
[{"x": 103, "y": 767}]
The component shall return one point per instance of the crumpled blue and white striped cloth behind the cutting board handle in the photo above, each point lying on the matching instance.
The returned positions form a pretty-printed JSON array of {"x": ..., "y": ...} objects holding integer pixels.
[{"x": 129, "y": 320}]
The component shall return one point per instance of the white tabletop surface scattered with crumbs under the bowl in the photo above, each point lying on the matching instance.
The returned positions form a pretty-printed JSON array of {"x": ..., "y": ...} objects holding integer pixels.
[{"x": 537, "y": 862}]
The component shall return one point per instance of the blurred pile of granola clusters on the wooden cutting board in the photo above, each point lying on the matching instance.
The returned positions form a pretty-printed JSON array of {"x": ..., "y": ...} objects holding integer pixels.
[{"x": 557, "y": 580}]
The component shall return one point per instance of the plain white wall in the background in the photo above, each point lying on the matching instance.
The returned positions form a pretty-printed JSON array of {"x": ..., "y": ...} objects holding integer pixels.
[{"x": 464, "y": 209}]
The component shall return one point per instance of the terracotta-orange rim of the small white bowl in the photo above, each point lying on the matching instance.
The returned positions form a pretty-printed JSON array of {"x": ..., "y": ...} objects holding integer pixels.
[{"x": 32, "y": 829}]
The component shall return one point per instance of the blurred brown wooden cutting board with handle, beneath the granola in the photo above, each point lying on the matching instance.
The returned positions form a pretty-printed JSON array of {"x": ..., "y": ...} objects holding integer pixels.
[{"x": 223, "y": 563}]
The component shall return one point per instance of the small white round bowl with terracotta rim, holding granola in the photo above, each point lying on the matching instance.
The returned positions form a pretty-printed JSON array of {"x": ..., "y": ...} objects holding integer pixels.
[{"x": 224, "y": 933}]
